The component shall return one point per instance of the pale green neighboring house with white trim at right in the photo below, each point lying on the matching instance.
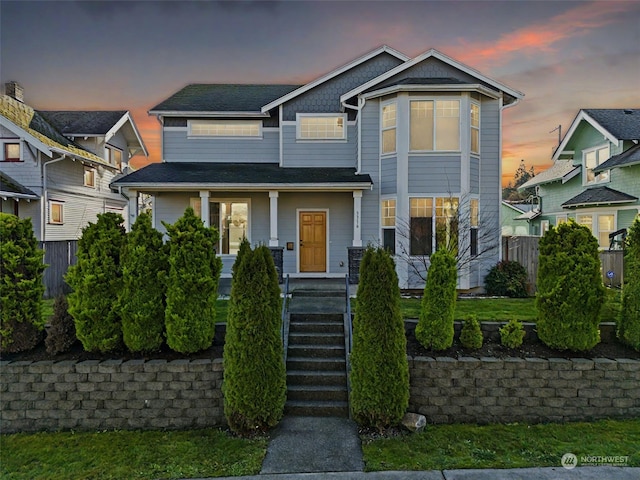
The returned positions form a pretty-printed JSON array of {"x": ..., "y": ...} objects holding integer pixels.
[{"x": 595, "y": 179}]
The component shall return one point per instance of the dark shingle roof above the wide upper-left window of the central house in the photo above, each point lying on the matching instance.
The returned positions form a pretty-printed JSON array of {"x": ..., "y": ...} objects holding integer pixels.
[{"x": 223, "y": 98}]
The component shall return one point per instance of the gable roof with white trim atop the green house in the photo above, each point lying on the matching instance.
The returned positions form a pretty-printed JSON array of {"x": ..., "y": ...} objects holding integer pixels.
[{"x": 615, "y": 124}]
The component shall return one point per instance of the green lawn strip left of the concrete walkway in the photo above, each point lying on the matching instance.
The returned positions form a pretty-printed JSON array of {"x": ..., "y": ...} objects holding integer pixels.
[{"x": 129, "y": 455}]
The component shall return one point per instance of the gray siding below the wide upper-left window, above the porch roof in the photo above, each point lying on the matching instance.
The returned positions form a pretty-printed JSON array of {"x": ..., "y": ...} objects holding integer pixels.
[{"x": 178, "y": 148}]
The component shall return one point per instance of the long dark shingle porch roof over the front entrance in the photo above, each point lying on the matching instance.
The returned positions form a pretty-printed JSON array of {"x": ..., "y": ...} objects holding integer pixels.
[{"x": 177, "y": 173}]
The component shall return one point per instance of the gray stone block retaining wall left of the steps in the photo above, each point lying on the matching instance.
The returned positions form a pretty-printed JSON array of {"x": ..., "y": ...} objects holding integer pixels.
[{"x": 112, "y": 394}]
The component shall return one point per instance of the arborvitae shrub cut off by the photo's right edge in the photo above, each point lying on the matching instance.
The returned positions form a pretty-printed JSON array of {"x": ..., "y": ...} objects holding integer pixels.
[{"x": 629, "y": 320}]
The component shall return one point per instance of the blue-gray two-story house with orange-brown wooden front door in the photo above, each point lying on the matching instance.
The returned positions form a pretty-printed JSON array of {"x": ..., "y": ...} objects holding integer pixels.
[{"x": 384, "y": 150}]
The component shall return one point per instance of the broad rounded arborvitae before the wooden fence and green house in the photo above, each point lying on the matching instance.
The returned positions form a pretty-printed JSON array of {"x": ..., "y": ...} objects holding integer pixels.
[{"x": 570, "y": 290}]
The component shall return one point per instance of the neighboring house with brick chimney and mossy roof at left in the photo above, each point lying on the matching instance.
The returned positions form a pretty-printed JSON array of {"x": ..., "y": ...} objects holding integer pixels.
[{"x": 56, "y": 166}]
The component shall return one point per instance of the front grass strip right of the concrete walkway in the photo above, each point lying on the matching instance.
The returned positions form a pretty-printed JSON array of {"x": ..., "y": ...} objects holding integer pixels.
[{"x": 442, "y": 447}]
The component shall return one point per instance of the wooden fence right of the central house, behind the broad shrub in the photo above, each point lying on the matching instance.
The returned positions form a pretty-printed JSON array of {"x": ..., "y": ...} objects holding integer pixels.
[{"x": 524, "y": 249}]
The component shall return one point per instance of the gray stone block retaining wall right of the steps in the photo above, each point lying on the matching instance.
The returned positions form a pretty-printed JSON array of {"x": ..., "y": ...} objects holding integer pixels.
[{"x": 491, "y": 390}]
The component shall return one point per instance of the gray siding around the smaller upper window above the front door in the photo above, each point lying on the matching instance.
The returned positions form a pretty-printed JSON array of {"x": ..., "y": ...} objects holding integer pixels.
[{"x": 319, "y": 154}]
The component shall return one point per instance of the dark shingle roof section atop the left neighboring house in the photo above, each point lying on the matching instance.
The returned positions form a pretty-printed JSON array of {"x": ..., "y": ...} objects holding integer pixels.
[{"x": 83, "y": 122}]
